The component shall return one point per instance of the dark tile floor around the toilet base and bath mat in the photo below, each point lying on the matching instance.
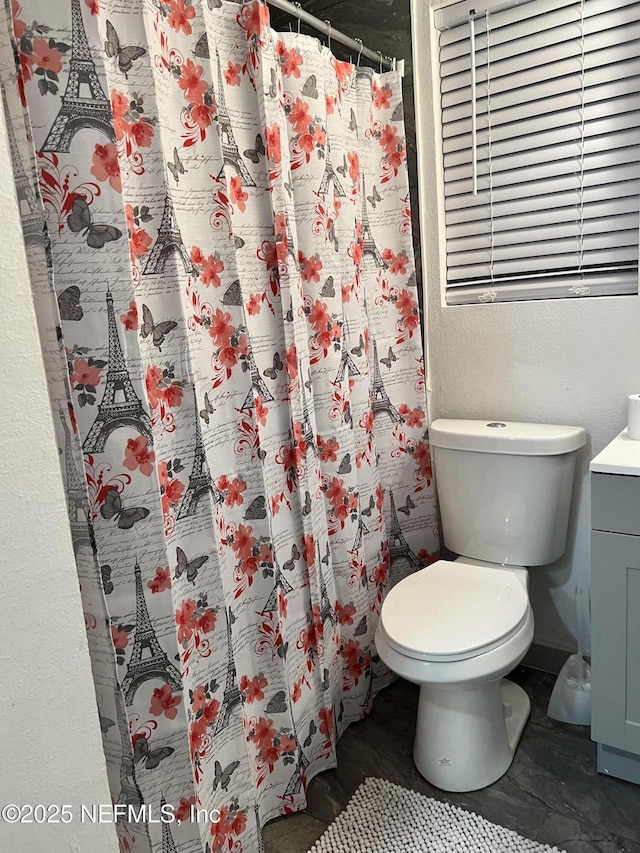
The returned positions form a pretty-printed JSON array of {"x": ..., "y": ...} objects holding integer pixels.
[{"x": 551, "y": 793}]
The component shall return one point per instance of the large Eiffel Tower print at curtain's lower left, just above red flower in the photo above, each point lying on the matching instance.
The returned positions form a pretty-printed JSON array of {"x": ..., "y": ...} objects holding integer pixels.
[{"x": 148, "y": 659}]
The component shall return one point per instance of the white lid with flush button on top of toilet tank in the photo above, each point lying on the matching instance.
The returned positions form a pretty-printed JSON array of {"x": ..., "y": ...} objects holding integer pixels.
[{"x": 508, "y": 437}]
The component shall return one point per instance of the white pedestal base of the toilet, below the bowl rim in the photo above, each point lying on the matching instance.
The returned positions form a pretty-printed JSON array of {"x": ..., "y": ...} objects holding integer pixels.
[{"x": 467, "y": 734}]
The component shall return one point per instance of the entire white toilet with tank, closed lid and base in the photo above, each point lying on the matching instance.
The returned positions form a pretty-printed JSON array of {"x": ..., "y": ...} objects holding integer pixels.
[{"x": 456, "y": 628}]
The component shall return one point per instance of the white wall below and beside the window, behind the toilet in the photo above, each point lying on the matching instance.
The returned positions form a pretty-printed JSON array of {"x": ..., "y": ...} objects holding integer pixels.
[{"x": 569, "y": 361}]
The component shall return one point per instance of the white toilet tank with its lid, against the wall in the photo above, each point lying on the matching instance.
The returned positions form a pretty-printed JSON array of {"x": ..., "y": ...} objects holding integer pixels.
[{"x": 504, "y": 488}]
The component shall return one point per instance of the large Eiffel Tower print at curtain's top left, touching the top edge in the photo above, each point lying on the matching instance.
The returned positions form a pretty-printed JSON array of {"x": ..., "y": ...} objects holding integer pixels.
[{"x": 80, "y": 109}]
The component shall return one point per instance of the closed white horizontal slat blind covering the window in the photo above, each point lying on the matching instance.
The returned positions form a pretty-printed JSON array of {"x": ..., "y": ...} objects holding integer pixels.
[{"x": 557, "y": 112}]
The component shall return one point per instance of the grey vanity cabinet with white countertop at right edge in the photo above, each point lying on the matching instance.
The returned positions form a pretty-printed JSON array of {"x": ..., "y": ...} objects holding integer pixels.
[{"x": 615, "y": 608}]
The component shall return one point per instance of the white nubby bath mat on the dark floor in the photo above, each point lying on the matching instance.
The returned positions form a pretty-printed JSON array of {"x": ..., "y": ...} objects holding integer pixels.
[{"x": 385, "y": 818}]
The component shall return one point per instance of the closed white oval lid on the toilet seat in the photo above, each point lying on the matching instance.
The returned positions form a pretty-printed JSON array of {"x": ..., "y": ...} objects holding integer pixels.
[{"x": 450, "y": 611}]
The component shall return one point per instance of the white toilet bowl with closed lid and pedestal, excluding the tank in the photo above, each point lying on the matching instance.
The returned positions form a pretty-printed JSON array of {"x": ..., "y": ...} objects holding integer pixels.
[{"x": 457, "y": 629}]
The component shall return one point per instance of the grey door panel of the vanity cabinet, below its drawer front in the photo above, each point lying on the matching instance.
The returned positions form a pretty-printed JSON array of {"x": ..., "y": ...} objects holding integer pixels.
[{"x": 615, "y": 640}]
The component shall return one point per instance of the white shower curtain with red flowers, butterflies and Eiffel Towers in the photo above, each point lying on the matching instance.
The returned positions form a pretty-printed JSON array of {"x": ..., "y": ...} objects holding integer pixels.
[{"x": 218, "y": 230}]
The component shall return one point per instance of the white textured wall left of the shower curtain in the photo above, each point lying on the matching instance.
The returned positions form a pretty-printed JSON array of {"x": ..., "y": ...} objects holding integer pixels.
[{"x": 50, "y": 741}]
